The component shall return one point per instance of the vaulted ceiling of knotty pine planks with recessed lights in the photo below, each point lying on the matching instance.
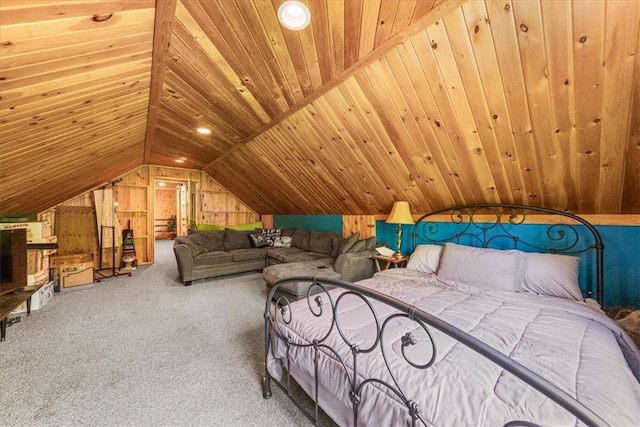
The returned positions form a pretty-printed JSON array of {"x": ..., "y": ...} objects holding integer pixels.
[{"x": 431, "y": 101}]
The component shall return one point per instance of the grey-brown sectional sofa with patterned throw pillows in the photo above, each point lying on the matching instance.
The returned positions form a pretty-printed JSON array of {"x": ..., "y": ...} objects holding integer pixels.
[{"x": 208, "y": 254}]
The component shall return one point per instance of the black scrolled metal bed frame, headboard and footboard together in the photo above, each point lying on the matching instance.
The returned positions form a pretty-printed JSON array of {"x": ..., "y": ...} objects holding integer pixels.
[{"x": 470, "y": 224}]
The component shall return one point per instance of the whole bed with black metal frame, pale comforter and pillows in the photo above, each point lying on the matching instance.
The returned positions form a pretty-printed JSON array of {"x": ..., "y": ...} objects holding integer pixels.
[{"x": 494, "y": 321}]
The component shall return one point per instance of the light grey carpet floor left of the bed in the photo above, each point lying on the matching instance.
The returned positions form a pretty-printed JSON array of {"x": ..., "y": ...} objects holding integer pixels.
[{"x": 143, "y": 351}]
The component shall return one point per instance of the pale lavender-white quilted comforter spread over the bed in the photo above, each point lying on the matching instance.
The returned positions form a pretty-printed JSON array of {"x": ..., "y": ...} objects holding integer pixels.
[{"x": 571, "y": 344}]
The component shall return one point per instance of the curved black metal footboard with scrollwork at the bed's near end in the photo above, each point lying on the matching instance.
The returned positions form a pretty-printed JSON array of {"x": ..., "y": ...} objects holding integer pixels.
[{"x": 279, "y": 311}]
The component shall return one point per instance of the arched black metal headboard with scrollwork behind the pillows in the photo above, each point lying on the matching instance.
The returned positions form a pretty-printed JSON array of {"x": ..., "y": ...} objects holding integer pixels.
[{"x": 506, "y": 226}]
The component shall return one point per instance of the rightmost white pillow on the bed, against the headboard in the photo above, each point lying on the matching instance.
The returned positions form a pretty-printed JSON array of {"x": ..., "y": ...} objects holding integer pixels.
[{"x": 553, "y": 275}]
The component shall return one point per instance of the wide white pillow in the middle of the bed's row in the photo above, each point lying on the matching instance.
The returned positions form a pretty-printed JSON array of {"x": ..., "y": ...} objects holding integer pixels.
[{"x": 500, "y": 269}]
